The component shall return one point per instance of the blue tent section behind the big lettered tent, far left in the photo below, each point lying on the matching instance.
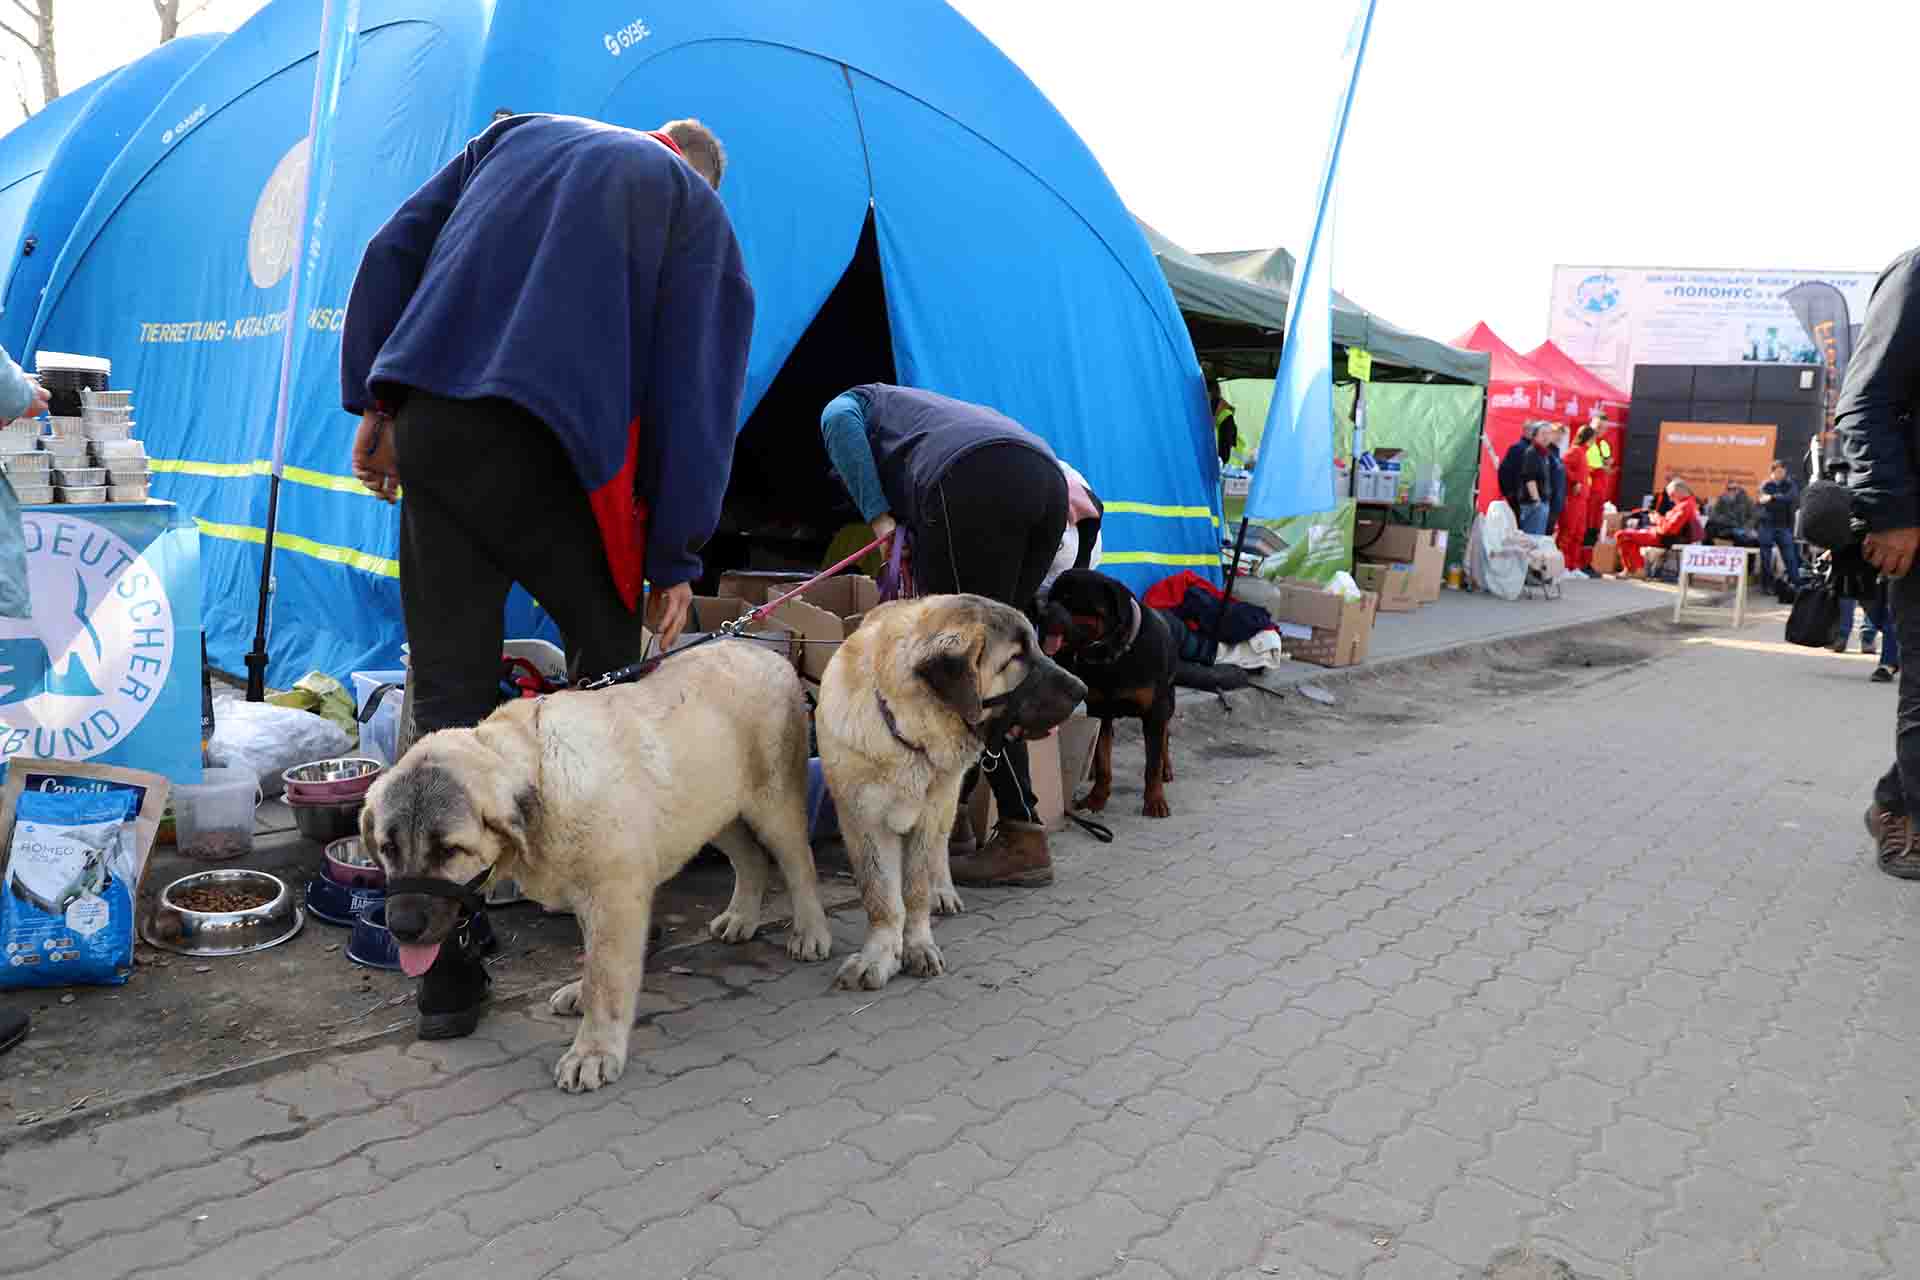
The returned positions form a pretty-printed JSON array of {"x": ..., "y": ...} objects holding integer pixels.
[{"x": 87, "y": 149}]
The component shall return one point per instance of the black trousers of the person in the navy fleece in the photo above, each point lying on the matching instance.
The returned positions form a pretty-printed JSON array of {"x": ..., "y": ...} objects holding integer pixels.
[{"x": 492, "y": 500}]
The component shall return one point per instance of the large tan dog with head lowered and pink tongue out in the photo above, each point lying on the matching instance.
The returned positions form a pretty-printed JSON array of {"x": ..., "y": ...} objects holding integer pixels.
[{"x": 592, "y": 801}]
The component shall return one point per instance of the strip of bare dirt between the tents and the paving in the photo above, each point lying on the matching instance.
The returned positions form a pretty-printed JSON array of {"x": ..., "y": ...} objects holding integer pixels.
[{"x": 183, "y": 1024}]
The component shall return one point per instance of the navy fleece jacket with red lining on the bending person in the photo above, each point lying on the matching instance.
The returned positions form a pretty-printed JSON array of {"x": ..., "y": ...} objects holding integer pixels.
[{"x": 592, "y": 277}]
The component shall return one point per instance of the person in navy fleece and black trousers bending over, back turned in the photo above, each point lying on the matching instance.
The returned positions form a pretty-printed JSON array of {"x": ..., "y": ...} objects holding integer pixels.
[{"x": 548, "y": 350}]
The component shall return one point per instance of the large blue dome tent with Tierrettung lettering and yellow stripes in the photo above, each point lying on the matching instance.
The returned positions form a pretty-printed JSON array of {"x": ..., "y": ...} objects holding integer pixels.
[{"x": 1013, "y": 272}]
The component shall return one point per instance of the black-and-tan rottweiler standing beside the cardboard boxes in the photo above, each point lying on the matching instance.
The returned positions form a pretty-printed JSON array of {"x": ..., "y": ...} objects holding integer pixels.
[{"x": 1126, "y": 655}]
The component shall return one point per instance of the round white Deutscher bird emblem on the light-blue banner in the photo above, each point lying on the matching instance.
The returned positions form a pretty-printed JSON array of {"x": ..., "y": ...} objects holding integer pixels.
[{"x": 85, "y": 671}]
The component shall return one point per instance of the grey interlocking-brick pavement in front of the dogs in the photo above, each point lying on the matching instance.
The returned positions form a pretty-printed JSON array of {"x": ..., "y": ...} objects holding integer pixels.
[{"x": 1389, "y": 1020}]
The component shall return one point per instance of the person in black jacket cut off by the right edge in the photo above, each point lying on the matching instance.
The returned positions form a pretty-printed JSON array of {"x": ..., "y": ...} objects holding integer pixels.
[{"x": 1875, "y": 421}]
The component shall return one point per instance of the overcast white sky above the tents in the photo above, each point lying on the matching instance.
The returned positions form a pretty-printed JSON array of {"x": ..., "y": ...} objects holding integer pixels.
[{"x": 1491, "y": 137}]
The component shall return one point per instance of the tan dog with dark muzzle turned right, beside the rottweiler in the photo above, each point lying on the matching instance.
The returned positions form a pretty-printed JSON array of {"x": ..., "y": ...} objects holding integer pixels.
[{"x": 907, "y": 707}]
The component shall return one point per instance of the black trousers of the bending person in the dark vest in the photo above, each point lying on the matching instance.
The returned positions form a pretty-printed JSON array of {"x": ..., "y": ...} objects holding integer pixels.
[{"x": 994, "y": 529}]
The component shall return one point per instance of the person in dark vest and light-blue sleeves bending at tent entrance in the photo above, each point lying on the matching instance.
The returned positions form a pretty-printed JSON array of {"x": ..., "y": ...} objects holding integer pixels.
[{"x": 986, "y": 504}]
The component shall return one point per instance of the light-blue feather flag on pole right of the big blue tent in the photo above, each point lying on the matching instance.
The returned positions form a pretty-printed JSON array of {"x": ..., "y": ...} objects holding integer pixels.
[{"x": 1295, "y": 469}]
